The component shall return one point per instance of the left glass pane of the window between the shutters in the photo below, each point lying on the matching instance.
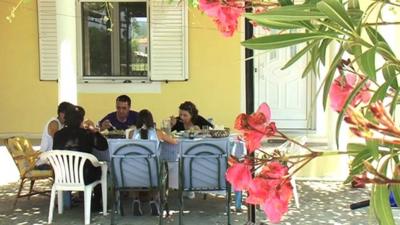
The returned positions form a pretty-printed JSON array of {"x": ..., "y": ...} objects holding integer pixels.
[{"x": 96, "y": 40}]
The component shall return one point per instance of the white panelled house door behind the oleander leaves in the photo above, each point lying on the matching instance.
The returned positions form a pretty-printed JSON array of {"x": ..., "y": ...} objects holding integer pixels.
[{"x": 285, "y": 91}]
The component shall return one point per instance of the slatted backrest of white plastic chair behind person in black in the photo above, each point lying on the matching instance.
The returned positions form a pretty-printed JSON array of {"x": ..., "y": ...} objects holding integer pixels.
[{"x": 68, "y": 165}]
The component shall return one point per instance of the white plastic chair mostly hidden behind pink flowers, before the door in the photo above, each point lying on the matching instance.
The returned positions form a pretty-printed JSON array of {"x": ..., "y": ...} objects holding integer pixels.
[{"x": 290, "y": 148}]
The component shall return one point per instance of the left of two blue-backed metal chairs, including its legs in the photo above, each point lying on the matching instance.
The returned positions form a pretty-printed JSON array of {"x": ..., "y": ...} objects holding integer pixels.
[{"x": 135, "y": 166}]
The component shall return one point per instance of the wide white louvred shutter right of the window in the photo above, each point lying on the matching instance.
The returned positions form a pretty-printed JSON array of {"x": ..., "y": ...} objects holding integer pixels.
[{"x": 168, "y": 40}]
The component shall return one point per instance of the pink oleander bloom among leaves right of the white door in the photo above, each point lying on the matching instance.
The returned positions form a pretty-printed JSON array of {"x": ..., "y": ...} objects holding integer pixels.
[{"x": 342, "y": 88}]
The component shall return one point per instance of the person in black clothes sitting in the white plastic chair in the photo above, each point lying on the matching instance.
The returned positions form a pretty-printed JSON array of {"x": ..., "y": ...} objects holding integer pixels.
[{"x": 74, "y": 137}]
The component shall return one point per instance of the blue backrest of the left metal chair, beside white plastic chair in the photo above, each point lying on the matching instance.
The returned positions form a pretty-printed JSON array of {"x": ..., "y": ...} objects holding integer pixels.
[{"x": 135, "y": 163}]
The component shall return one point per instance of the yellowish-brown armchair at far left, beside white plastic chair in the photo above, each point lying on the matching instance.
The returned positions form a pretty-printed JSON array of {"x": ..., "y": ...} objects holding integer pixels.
[{"x": 25, "y": 158}]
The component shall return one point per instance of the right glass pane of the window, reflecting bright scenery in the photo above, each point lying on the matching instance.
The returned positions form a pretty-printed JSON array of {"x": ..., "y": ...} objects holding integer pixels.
[{"x": 133, "y": 39}]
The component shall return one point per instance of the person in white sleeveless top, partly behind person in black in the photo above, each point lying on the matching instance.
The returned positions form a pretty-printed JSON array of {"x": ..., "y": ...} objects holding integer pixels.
[{"x": 52, "y": 126}]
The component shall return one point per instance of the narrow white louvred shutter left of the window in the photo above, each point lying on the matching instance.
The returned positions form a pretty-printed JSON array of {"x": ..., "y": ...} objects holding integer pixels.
[{"x": 47, "y": 39}]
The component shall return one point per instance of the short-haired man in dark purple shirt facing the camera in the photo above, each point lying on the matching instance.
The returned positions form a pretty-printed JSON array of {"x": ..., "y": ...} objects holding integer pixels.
[{"x": 122, "y": 119}]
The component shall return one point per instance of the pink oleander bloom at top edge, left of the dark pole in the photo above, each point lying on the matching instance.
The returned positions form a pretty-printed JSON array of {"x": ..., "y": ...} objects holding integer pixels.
[{"x": 225, "y": 16}]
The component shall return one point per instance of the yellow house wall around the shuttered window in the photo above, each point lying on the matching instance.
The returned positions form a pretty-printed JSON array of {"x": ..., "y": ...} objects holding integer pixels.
[{"x": 27, "y": 103}]
